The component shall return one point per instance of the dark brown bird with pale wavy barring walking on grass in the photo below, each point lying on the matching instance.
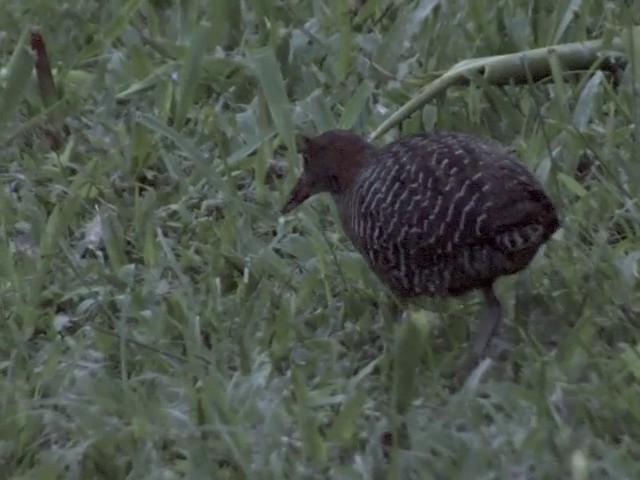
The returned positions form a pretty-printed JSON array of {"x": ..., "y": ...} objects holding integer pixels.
[{"x": 434, "y": 214}]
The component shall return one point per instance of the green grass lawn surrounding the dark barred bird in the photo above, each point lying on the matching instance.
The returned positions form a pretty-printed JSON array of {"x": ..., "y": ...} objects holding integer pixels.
[{"x": 159, "y": 320}]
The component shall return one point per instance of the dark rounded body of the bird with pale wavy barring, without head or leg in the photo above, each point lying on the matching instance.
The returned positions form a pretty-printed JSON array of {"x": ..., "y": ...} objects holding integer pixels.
[{"x": 445, "y": 213}]
